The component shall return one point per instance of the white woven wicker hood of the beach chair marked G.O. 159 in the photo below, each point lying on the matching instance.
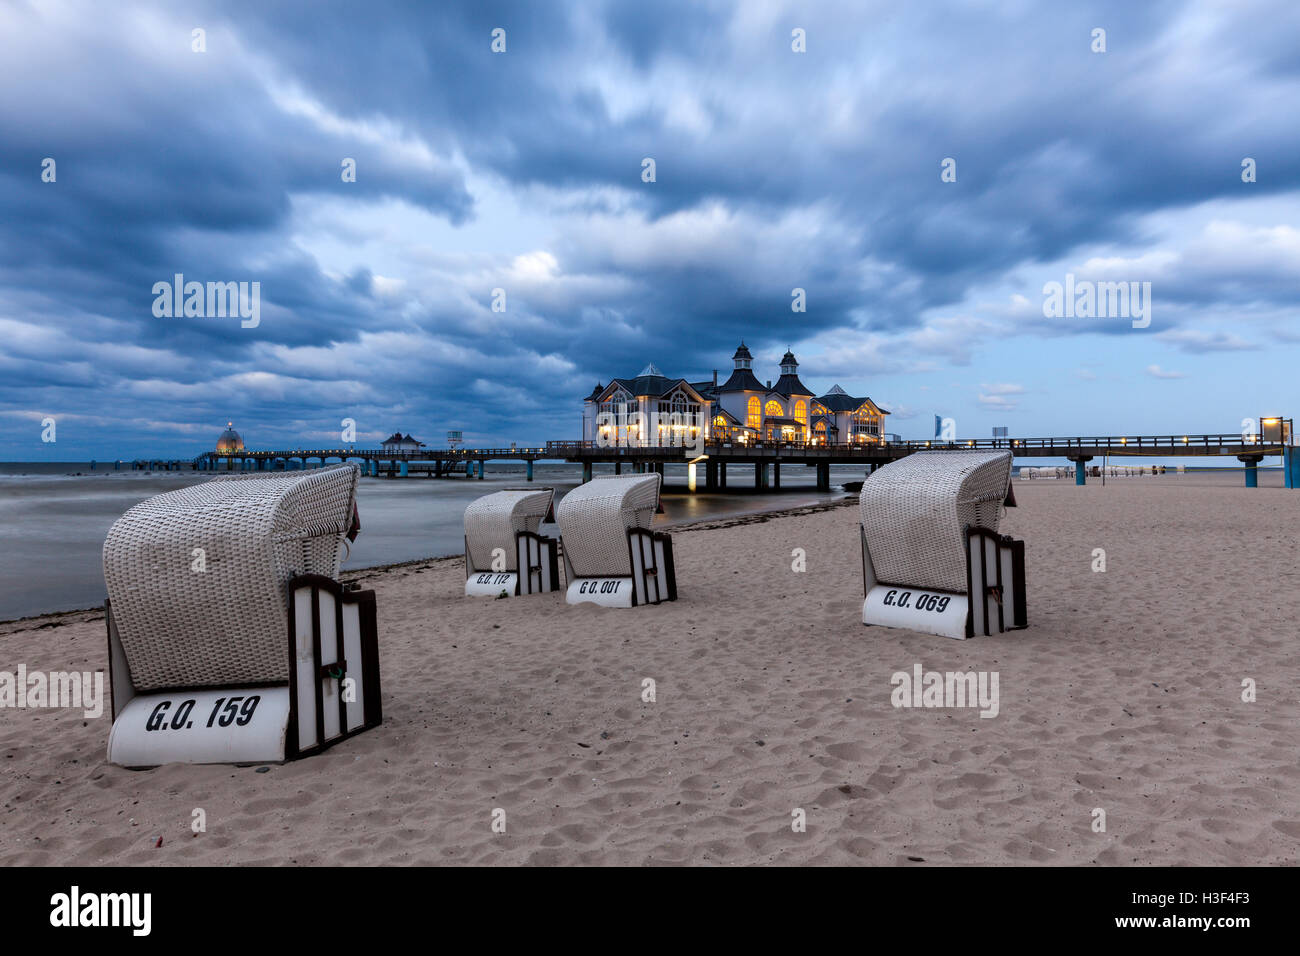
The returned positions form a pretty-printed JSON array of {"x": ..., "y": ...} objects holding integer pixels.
[{"x": 198, "y": 578}]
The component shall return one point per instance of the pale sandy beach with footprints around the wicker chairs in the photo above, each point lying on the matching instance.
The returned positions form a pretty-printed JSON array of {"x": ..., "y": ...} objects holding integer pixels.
[{"x": 1125, "y": 694}]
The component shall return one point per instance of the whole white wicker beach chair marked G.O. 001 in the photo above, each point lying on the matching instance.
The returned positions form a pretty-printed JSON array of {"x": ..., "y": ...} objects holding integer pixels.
[{"x": 612, "y": 557}]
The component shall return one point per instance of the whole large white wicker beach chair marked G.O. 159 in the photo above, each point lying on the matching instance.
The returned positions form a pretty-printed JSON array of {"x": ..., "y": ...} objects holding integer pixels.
[{"x": 231, "y": 639}]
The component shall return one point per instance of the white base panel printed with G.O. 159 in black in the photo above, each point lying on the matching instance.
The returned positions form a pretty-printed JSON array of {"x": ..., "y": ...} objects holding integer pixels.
[{"x": 233, "y": 725}]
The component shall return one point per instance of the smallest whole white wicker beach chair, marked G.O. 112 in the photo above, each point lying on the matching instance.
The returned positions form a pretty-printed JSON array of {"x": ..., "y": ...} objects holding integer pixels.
[{"x": 505, "y": 553}]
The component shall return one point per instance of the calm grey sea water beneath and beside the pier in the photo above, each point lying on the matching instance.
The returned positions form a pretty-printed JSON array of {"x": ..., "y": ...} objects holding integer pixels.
[{"x": 54, "y": 517}]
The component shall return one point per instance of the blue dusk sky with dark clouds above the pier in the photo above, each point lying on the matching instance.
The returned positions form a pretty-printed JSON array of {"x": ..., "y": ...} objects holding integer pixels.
[{"x": 523, "y": 171}]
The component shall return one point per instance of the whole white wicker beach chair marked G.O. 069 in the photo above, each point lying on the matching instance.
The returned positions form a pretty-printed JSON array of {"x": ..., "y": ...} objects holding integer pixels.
[{"x": 931, "y": 553}]
